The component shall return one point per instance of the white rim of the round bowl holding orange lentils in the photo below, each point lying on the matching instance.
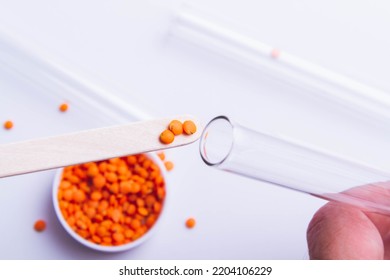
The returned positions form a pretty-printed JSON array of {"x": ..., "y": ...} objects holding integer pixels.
[{"x": 118, "y": 248}]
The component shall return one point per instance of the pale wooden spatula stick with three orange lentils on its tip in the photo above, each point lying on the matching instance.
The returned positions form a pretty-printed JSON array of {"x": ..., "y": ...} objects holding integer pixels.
[{"x": 89, "y": 145}]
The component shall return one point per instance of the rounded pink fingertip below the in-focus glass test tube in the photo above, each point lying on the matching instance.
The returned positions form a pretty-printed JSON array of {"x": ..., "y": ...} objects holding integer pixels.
[{"x": 337, "y": 231}]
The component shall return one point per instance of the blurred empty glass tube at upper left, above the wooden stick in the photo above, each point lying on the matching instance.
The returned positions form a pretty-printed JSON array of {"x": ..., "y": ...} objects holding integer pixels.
[{"x": 25, "y": 60}]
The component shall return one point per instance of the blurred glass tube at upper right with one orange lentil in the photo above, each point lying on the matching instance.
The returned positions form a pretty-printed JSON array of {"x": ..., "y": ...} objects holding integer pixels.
[{"x": 206, "y": 31}]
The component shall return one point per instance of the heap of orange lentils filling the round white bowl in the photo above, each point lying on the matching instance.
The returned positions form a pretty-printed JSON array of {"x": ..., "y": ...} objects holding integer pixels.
[{"x": 112, "y": 202}]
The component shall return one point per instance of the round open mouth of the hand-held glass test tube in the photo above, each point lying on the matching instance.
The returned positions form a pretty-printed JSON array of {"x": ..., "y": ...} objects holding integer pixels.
[{"x": 216, "y": 141}]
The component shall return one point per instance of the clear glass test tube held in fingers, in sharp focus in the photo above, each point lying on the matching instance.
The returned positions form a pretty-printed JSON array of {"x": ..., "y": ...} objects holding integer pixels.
[{"x": 262, "y": 156}]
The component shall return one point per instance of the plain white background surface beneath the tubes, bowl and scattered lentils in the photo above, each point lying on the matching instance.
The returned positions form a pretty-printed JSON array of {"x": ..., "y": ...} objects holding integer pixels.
[{"x": 128, "y": 45}]
